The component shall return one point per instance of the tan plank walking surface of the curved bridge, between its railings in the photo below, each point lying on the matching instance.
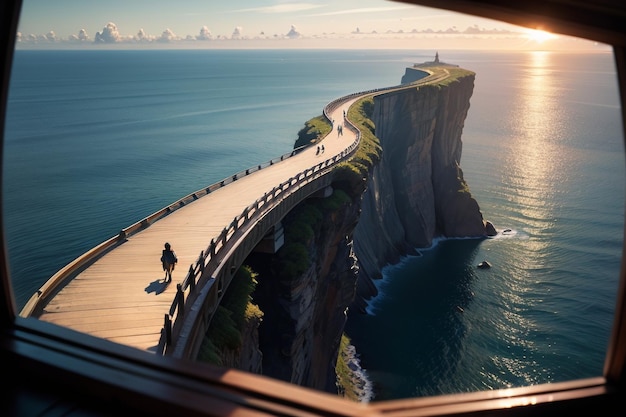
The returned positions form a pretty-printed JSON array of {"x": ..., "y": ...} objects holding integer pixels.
[{"x": 122, "y": 297}]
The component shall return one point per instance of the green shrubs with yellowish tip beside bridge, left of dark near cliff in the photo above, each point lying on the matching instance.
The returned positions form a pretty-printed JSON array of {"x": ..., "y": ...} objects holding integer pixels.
[{"x": 235, "y": 310}]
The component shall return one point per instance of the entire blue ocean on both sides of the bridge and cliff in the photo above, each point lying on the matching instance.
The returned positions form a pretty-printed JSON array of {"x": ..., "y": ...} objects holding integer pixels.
[{"x": 96, "y": 140}]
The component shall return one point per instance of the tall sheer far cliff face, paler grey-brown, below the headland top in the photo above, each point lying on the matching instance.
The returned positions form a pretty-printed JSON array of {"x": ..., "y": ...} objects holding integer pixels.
[{"x": 417, "y": 191}]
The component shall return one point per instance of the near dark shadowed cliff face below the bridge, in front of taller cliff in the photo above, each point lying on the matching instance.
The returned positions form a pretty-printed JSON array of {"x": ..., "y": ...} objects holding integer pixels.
[{"x": 305, "y": 311}]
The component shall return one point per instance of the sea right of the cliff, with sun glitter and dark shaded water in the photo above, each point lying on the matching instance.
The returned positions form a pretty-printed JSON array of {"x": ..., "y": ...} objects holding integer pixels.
[{"x": 543, "y": 155}]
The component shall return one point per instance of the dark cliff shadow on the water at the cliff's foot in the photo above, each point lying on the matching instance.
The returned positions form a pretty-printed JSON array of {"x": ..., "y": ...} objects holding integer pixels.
[{"x": 413, "y": 342}]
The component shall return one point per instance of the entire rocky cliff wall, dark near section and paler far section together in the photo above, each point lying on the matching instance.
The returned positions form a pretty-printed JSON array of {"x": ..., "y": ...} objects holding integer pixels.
[{"x": 415, "y": 193}]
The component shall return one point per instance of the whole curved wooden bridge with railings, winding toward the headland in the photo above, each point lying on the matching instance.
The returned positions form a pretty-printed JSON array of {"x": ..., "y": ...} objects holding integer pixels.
[{"x": 117, "y": 291}]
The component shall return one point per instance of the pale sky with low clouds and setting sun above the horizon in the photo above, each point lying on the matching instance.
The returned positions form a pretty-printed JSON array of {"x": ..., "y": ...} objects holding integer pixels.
[{"x": 268, "y": 23}]
